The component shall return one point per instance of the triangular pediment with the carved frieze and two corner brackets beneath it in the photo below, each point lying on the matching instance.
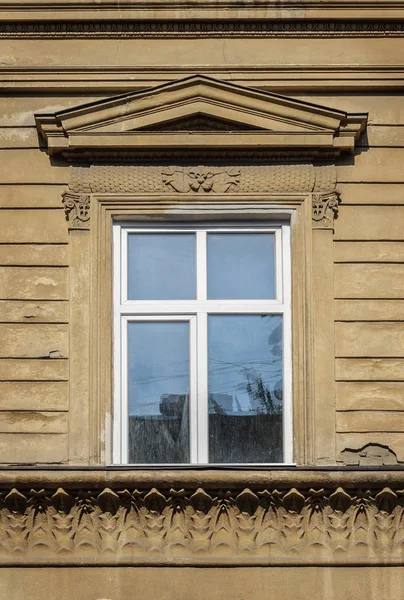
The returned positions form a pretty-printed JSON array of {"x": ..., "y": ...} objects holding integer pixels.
[{"x": 283, "y": 137}]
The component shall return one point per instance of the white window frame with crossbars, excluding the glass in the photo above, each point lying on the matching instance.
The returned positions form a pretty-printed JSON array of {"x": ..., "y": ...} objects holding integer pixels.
[{"x": 196, "y": 313}]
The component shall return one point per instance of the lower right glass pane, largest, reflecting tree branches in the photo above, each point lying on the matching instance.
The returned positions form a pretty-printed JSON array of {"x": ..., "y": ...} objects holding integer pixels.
[{"x": 245, "y": 388}]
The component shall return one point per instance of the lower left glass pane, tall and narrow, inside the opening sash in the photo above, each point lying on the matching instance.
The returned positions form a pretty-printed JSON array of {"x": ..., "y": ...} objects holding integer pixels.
[{"x": 158, "y": 392}]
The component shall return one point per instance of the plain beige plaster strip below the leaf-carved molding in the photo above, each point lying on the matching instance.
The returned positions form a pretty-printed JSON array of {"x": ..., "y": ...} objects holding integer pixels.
[{"x": 116, "y": 583}]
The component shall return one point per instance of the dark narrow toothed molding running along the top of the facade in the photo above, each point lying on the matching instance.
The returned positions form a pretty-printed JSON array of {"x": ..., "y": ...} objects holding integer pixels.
[{"x": 212, "y": 29}]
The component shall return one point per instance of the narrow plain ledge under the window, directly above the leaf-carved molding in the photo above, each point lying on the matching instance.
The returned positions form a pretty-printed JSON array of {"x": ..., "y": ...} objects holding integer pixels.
[{"x": 351, "y": 478}]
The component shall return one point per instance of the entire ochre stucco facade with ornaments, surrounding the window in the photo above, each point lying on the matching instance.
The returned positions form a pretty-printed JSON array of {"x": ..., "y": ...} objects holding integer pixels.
[{"x": 290, "y": 111}]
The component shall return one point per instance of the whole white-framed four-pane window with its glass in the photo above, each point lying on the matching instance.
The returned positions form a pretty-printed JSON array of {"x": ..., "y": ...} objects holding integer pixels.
[{"x": 202, "y": 344}]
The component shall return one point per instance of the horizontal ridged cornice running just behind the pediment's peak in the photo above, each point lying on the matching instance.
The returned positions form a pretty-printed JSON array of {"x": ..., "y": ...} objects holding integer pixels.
[{"x": 280, "y": 78}]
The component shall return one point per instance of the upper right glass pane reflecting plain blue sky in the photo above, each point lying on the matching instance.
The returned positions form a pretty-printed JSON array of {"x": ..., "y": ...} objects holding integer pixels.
[{"x": 241, "y": 265}]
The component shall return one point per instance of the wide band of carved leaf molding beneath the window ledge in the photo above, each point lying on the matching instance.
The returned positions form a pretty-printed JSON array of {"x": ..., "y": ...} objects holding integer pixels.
[{"x": 268, "y": 525}]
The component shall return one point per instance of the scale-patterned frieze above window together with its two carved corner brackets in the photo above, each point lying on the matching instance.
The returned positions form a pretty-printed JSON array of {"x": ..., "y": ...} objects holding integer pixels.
[{"x": 190, "y": 180}]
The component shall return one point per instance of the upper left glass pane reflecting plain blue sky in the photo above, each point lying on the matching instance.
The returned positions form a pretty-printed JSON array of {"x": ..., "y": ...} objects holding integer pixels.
[{"x": 161, "y": 266}]
